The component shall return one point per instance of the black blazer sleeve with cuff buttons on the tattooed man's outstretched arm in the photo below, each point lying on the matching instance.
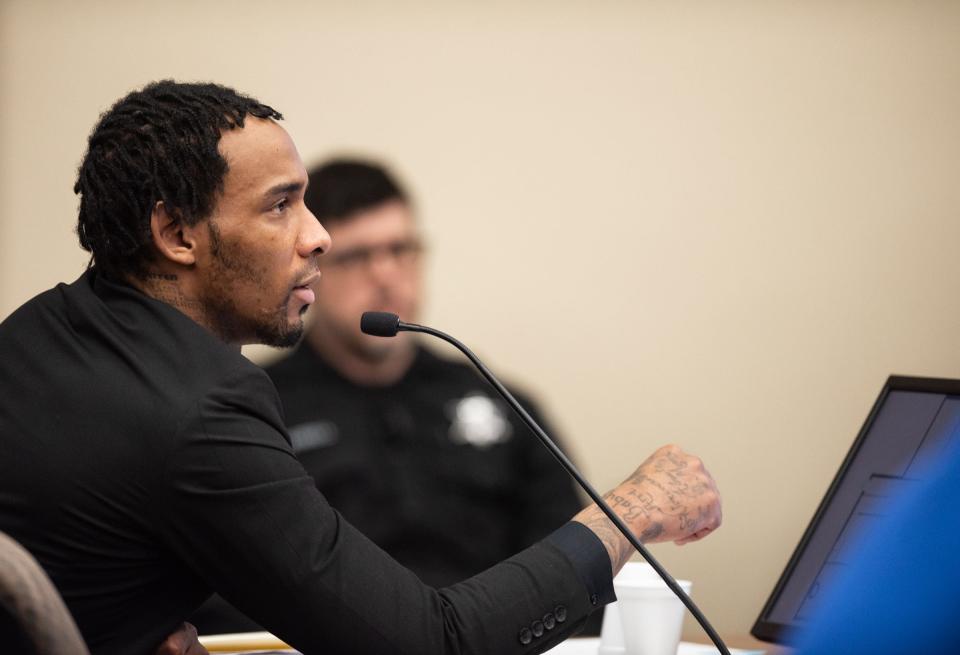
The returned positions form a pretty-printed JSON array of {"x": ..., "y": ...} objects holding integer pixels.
[{"x": 237, "y": 506}]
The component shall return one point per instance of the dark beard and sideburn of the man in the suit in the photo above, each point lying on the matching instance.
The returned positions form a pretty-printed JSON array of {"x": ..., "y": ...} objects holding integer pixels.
[{"x": 269, "y": 327}]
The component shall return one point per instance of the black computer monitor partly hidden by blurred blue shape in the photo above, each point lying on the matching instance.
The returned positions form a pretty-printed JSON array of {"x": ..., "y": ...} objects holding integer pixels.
[{"x": 913, "y": 421}]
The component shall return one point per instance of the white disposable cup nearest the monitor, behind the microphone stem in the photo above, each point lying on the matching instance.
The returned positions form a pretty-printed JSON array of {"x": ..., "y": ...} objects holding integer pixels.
[{"x": 650, "y": 615}]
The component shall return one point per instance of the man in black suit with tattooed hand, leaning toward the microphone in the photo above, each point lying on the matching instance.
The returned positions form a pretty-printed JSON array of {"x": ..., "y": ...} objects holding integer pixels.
[{"x": 145, "y": 461}]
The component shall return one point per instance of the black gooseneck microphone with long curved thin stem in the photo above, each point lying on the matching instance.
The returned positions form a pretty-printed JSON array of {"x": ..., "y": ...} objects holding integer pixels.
[{"x": 385, "y": 324}]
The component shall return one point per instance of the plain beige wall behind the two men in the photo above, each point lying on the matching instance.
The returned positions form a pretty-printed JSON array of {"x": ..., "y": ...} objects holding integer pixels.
[{"x": 719, "y": 223}]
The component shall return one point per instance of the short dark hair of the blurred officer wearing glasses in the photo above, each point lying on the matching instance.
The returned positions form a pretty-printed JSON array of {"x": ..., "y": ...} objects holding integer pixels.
[{"x": 340, "y": 188}]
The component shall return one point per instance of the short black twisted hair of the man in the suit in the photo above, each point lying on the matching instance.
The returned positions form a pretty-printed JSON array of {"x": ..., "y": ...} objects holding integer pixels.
[{"x": 156, "y": 144}]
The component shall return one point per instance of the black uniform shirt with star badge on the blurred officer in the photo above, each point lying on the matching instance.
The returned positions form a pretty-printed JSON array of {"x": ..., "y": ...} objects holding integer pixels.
[{"x": 434, "y": 469}]
